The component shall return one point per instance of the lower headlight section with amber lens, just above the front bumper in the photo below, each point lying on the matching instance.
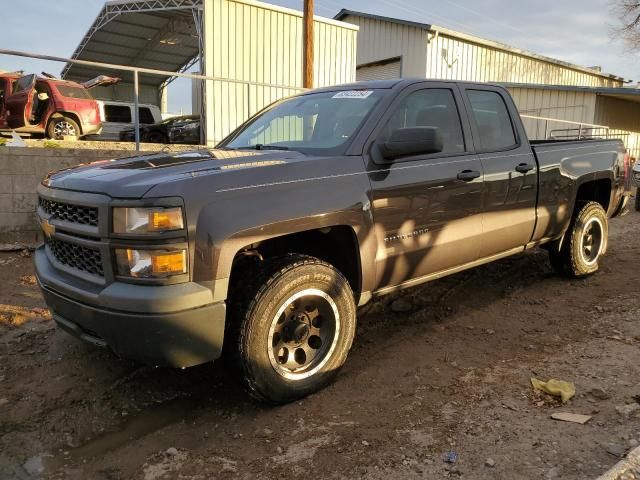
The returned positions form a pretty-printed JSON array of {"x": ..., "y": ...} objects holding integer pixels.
[{"x": 151, "y": 263}]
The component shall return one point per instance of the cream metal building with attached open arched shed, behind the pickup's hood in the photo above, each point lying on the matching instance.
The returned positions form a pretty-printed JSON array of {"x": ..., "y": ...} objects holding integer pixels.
[{"x": 254, "y": 49}]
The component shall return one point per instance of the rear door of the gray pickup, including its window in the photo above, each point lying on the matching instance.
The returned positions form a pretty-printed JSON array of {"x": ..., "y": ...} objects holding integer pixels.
[{"x": 510, "y": 170}]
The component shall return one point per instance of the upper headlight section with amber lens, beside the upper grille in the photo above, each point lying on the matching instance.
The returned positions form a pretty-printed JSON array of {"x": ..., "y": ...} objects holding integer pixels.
[{"x": 147, "y": 220}]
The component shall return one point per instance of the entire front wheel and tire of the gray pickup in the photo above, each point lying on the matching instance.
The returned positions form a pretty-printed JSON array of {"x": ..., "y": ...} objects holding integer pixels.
[{"x": 265, "y": 325}]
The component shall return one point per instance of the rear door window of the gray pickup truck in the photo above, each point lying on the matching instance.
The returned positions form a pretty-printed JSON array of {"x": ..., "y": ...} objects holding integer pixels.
[{"x": 492, "y": 119}]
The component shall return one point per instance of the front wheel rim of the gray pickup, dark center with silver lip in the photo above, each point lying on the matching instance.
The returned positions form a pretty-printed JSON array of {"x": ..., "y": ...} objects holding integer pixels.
[{"x": 303, "y": 334}]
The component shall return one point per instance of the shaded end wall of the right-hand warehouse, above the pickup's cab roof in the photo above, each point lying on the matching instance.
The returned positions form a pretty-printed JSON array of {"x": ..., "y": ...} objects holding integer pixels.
[{"x": 379, "y": 40}]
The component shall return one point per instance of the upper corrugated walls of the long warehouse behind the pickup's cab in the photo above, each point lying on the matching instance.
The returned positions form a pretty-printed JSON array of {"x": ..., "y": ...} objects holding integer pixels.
[{"x": 443, "y": 54}]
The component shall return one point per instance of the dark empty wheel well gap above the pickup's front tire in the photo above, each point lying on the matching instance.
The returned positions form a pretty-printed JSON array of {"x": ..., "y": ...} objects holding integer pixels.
[{"x": 336, "y": 245}]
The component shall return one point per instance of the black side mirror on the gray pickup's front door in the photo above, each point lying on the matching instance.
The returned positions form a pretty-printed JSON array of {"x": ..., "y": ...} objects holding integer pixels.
[{"x": 404, "y": 142}]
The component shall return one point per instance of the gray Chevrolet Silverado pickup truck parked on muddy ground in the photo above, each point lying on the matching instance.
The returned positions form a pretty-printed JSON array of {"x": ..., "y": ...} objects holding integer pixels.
[{"x": 263, "y": 247}]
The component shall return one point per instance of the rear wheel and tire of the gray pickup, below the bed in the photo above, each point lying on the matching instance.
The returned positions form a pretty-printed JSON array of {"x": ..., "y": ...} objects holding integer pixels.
[{"x": 584, "y": 242}]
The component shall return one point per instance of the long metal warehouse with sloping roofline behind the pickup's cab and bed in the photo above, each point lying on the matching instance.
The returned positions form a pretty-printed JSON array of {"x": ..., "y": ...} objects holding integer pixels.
[{"x": 541, "y": 86}]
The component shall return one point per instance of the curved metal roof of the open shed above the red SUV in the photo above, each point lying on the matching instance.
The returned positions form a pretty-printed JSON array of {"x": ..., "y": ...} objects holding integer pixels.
[{"x": 155, "y": 34}]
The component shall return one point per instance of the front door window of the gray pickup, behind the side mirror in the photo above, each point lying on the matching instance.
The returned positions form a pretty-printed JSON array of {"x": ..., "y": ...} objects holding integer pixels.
[{"x": 433, "y": 107}]
